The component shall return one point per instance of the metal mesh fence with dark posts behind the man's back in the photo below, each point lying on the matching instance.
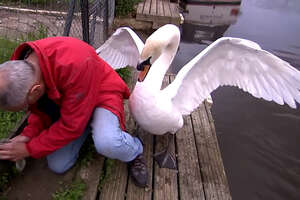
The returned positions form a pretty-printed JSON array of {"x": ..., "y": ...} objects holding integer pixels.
[{"x": 22, "y": 20}]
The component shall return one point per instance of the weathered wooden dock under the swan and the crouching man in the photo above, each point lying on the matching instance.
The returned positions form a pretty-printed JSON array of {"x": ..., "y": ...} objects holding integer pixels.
[{"x": 200, "y": 174}]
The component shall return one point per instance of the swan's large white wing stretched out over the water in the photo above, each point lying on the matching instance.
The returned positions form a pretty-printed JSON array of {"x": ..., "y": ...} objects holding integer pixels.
[{"x": 234, "y": 62}]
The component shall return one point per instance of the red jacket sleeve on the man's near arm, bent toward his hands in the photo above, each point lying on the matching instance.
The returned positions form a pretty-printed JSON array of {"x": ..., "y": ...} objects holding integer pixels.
[{"x": 75, "y": 112}]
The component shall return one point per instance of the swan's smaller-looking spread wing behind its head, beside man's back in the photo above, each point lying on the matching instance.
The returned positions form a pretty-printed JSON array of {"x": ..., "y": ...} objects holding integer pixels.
[{"x": 122, "y": 48}]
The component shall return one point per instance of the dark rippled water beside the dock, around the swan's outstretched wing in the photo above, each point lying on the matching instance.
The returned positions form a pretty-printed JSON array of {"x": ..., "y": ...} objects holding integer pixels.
[{"x": 259, "y": 140}]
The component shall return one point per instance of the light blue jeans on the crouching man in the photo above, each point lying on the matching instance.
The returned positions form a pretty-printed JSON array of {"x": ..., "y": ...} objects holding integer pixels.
[{"x": 109, "y": 140}]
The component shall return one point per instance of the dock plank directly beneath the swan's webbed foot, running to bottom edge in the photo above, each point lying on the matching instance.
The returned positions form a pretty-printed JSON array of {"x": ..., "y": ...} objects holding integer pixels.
[{"x": 165, "y": 180}]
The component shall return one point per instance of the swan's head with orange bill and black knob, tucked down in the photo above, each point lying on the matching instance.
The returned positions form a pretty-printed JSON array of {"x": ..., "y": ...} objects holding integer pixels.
[{"x": 164, "y": 40}]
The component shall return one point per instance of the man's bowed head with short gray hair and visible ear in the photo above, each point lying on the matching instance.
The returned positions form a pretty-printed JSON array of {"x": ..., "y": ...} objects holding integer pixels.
[{"x": 20, "y": 85}]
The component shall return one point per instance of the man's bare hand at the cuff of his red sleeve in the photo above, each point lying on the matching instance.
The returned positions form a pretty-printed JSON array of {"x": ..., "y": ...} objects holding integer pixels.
[{"x": 13, "y": 151}]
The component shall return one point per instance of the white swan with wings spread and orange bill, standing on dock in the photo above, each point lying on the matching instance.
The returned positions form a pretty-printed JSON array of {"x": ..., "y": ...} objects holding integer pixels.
[{"x": 227, "y": 61}]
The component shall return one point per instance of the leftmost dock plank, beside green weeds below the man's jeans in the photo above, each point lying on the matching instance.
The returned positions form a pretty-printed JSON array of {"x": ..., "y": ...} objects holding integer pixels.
[{"x": 91, "y": 176}]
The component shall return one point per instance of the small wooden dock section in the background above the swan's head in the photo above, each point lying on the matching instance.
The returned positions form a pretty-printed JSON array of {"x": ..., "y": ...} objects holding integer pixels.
[{"x": 159, "y": 12}]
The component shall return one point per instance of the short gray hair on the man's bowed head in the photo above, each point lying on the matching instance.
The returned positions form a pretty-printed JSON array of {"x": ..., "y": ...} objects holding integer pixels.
[{"x": 17, "y": 77}]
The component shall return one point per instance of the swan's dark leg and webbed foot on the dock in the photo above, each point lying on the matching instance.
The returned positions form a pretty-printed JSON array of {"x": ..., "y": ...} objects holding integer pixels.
[{"x": 164, "y": 158}]
